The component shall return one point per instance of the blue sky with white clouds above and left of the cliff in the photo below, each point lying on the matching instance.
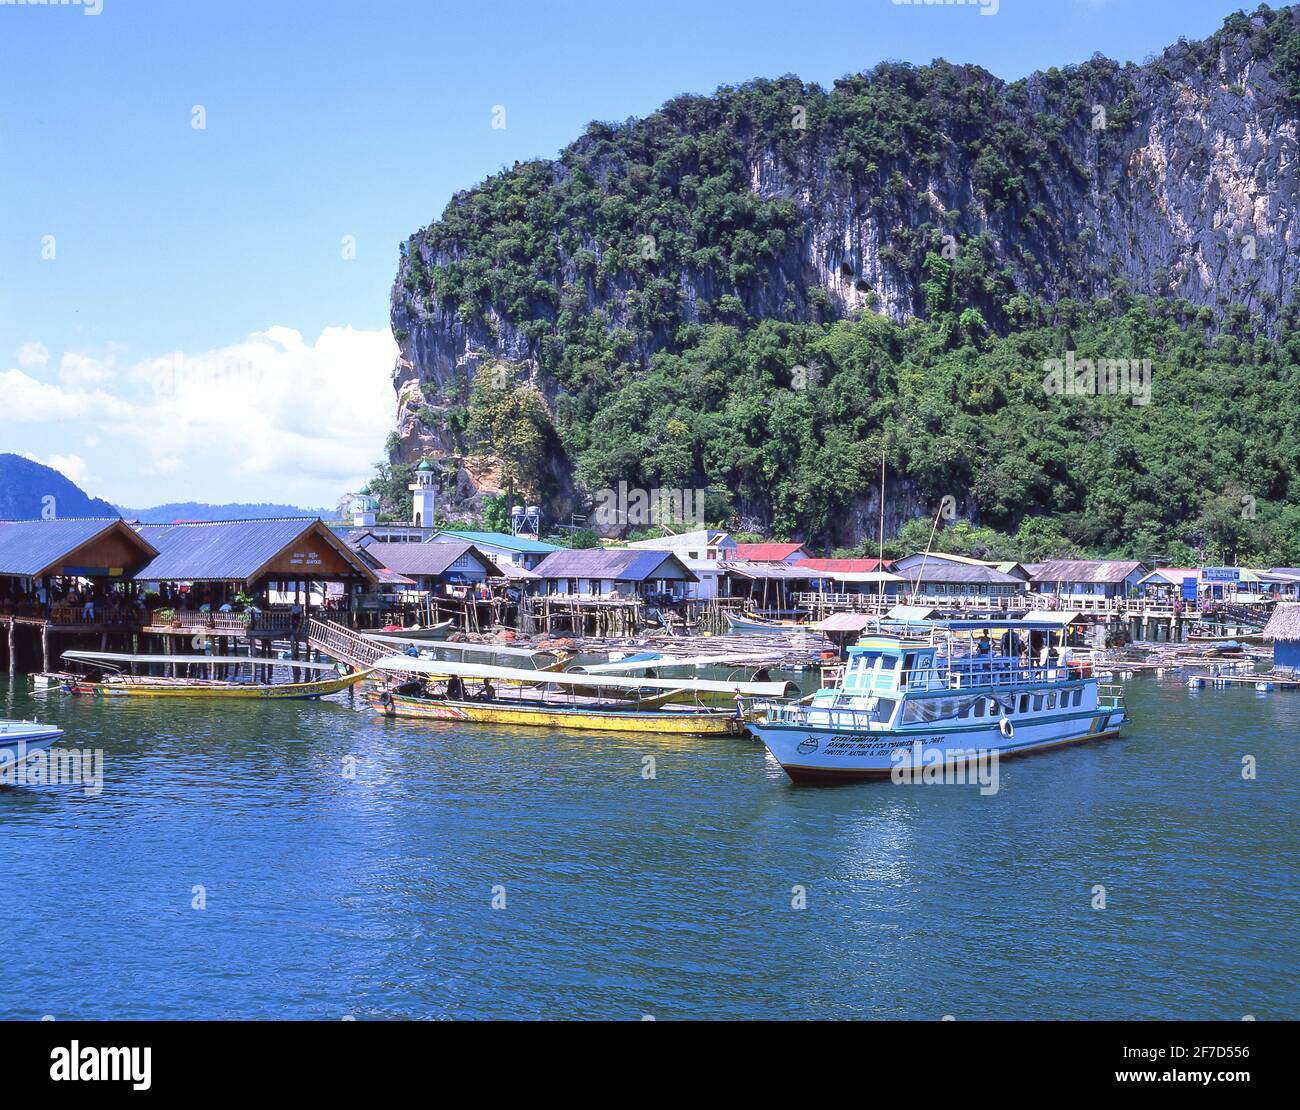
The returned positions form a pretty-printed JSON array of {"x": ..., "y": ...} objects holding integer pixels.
[{"x": 198, "y": 331}]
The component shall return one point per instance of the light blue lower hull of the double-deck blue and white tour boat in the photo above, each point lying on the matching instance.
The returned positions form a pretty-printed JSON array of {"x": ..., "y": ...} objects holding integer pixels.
[{"x": 829, "y": 756}]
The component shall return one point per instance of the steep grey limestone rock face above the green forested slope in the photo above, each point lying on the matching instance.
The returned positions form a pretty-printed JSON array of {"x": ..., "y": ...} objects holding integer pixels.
[{"x": 1177, "y": 179}]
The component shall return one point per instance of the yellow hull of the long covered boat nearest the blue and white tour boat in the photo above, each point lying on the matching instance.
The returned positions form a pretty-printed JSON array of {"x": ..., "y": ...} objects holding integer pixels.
[{"x": 547, "y": 717}]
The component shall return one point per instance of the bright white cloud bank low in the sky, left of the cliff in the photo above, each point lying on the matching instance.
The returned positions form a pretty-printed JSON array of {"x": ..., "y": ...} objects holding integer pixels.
[{"x": 271, "y": 418}]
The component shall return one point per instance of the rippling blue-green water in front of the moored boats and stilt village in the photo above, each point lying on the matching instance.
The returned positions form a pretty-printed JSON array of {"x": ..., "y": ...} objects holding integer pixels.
[{"x": 372, "y": 896}]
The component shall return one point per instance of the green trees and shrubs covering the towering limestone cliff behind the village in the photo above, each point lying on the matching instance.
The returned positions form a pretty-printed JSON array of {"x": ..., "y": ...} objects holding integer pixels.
[{"x": 662, "y": 296}]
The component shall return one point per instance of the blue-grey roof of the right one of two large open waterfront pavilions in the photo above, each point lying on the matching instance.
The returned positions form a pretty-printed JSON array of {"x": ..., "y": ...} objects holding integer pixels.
[{"x": 228, "y": 550}]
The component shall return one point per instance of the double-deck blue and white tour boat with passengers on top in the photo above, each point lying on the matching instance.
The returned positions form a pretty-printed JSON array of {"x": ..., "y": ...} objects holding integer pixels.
[{"x": 941, "y": 692}]
